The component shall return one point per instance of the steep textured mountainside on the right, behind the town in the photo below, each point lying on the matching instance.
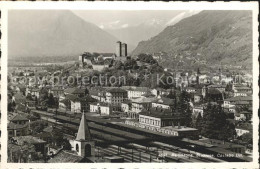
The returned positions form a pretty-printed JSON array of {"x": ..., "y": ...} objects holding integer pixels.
[{"x": 218, "y": 37}]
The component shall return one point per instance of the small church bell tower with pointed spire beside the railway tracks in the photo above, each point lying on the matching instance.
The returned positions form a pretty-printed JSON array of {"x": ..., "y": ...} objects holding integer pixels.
[{"x": 83, "y": 144}]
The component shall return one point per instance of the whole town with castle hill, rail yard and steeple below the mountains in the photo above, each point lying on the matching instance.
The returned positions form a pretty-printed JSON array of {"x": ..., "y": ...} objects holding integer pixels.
[{"x": 114, "y": 107}]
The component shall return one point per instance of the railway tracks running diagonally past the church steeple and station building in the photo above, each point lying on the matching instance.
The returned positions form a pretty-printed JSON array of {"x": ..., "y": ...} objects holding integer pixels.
[{"x": 110, "y": 134}]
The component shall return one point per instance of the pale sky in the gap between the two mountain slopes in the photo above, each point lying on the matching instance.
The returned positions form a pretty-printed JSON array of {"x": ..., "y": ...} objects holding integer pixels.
[{"x": 107, "y": 19}]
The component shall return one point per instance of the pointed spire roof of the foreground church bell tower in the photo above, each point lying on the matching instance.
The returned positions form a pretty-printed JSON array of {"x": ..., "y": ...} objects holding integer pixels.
[{"x": 83, "y": 131}]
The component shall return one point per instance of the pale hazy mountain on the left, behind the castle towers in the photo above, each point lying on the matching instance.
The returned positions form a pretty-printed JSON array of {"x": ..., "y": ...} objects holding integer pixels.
[{"x": 50, "y": 33}]
